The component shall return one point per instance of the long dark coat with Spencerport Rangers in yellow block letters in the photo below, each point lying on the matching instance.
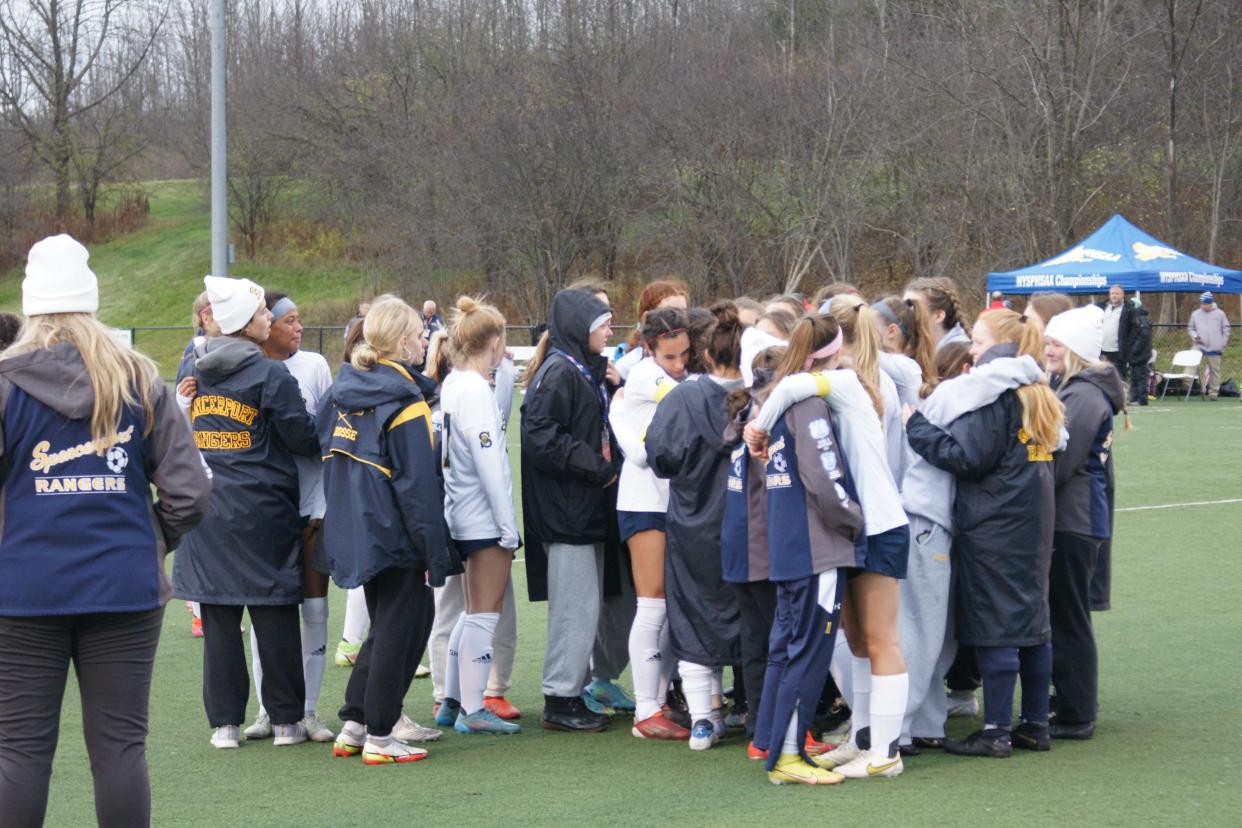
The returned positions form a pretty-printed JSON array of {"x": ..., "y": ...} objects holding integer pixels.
[{"x": 249, "y": 421}]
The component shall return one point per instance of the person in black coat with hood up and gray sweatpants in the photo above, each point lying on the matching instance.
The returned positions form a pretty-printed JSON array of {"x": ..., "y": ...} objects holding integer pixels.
[{"x": 568, "y": 469}]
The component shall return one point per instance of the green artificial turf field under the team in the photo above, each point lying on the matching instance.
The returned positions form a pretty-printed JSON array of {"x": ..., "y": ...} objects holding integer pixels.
[{"x": 1164, "y": 752}]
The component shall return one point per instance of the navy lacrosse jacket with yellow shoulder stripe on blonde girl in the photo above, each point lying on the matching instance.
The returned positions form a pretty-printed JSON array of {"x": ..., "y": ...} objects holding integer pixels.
[{"x": 386, "y": 507}]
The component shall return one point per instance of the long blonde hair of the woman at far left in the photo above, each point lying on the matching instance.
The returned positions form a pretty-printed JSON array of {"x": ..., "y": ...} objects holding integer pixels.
[{"x": 120, "y": 377}]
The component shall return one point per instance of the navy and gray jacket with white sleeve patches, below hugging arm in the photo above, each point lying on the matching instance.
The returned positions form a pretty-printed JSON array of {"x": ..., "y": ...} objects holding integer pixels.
[{"x": 813, "y": 516}]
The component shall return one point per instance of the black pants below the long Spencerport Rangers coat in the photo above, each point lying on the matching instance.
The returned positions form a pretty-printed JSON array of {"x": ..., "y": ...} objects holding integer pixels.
[{"x": 225, "y": 678}]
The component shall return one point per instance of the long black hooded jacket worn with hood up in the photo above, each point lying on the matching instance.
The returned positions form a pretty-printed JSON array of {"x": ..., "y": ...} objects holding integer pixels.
[{"x": 567, "y": 497}]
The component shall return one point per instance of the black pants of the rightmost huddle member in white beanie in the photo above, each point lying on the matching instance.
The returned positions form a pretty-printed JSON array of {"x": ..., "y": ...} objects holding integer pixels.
[{"x": 1075, "y": 664}]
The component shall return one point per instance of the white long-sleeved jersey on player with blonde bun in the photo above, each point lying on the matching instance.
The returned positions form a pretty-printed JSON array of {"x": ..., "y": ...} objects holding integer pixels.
[{"x": 479, "y": 485}]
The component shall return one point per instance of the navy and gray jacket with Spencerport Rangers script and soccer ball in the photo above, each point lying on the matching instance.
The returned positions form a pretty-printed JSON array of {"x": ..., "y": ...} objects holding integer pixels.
[{"x": 79, "y": 529}]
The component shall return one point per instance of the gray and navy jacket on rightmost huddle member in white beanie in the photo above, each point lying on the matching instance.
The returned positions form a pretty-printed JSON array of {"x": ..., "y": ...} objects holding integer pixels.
[{"x": 1085, "y": 467}]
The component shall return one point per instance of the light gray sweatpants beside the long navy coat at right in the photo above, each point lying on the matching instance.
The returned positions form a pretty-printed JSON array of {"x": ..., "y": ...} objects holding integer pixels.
[{"x": 926, "y": 631}]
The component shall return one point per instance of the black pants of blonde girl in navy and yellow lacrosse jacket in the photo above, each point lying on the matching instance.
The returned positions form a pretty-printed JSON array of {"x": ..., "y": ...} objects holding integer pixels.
[{"x": 403, "y": 610}]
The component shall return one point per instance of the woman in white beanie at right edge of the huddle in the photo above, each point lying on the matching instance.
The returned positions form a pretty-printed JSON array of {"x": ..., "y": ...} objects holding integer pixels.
[{"x": 1094, "y": 395}]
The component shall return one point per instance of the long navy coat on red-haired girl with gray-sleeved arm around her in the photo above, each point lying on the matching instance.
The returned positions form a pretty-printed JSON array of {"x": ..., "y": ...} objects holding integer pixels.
[{"x": 1004, "y": 517}]
